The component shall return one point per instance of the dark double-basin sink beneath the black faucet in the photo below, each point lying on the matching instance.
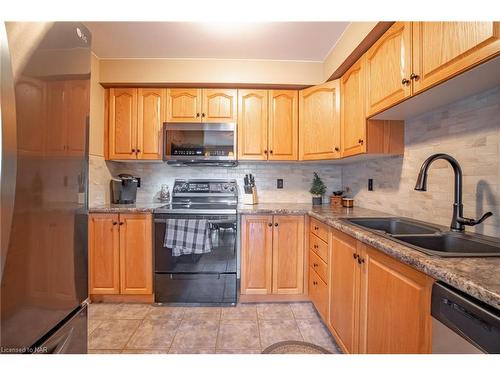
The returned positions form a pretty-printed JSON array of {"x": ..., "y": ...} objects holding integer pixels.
[{"x": 430, "y": 239}]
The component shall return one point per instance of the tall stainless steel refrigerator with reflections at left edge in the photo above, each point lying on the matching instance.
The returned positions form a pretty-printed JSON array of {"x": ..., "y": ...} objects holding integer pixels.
[{"x": 45, "y": 84}]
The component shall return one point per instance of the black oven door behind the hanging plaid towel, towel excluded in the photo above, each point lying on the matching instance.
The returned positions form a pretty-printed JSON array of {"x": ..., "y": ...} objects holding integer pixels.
[{"x": 222, "y": 258}]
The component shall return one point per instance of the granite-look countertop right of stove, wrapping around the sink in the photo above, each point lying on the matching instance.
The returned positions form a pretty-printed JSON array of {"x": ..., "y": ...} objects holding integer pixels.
[{"x": 478, "y": 277}]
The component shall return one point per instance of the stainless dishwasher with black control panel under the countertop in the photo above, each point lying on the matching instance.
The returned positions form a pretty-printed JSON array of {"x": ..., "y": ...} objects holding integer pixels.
[{"x": 462, "y": 324}]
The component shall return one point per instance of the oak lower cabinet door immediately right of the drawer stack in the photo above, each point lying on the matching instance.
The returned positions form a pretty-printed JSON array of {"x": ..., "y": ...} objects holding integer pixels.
[{"x": 344, "y": 277}]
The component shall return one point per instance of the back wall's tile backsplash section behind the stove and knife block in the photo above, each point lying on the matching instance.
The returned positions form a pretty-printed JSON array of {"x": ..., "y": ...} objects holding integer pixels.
[{"x": 297, "y": 178}]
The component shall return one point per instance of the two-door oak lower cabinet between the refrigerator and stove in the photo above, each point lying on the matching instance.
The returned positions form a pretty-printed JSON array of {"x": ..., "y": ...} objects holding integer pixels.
[{"x": 120, "y": 254}]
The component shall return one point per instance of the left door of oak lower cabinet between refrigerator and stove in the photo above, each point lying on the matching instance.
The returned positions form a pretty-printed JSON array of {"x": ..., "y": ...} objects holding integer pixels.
[{"x": 104, "y": 254}]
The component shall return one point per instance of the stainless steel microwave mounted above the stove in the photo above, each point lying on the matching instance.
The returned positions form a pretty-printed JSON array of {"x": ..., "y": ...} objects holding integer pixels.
[{"x": 199, "y": 143}]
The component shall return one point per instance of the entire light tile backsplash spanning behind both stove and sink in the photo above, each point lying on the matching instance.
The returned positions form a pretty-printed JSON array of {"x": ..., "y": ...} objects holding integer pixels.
[{"x": 468, "y": 129}]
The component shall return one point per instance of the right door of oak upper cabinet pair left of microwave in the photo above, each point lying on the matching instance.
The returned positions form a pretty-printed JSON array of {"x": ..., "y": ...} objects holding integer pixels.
[{"x": 151, "y": 114}]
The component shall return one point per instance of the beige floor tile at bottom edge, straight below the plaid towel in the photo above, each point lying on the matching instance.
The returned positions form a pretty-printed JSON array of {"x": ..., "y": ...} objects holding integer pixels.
[{"x": 196, "y": 334}]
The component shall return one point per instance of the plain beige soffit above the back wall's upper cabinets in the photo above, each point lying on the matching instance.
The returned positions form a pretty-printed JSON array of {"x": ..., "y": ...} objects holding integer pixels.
[{"x": 210, "y": 71}]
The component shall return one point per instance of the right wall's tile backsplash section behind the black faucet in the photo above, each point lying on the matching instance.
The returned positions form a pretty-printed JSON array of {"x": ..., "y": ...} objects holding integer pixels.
[{"x": 469, "y": 130}]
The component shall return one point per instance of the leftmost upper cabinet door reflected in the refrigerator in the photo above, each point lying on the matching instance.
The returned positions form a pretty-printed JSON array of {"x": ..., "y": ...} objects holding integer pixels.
[{"x": 30, "y": 115}]
